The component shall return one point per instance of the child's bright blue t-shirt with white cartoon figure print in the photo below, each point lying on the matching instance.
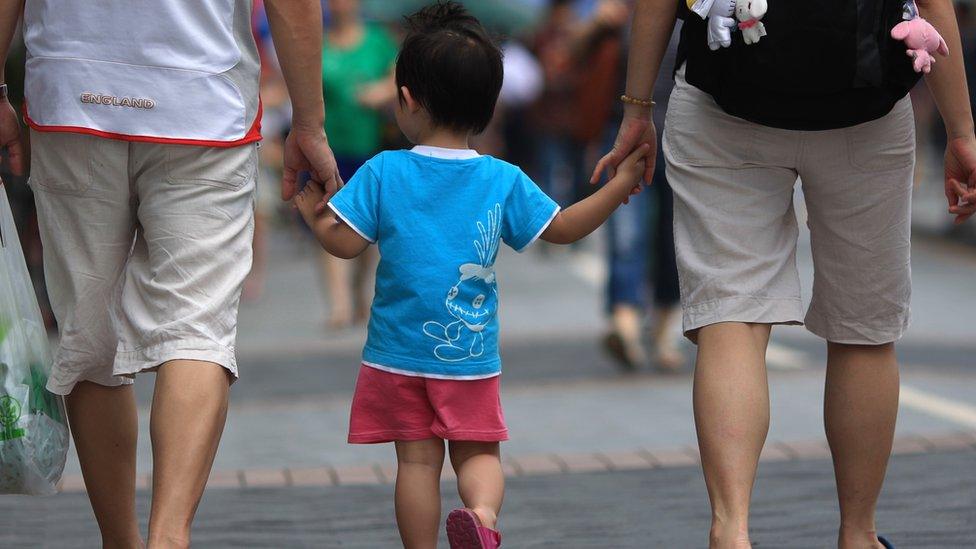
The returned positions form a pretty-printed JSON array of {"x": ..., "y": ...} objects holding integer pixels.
[{"x": 438, "y": 216}]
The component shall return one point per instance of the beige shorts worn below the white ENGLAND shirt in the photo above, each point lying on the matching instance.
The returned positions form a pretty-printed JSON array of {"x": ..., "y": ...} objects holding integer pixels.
[{"x": 146, "y": 248}]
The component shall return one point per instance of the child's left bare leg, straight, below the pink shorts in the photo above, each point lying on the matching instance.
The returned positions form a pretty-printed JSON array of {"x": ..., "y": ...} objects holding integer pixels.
[{"x": 418, "y": 492}]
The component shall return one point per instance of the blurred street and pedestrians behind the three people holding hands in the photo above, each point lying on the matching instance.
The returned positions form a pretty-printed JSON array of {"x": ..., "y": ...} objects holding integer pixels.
[{"x": 603, "y": 450}]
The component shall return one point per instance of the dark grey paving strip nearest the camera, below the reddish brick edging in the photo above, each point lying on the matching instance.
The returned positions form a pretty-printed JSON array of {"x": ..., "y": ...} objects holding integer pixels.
[{"x": 929, "y": 502}]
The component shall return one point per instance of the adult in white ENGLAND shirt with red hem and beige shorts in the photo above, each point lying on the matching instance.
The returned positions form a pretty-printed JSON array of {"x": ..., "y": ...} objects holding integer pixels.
[{"x": 144, "y": 116}]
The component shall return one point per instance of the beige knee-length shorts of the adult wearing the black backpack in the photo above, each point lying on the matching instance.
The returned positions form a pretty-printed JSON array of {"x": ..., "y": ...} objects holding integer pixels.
[{"x": 736, "y": 232}]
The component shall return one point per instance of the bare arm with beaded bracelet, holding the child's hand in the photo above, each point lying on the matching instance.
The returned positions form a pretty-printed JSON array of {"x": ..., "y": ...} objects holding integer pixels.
[{"x": 653, "y": 23}]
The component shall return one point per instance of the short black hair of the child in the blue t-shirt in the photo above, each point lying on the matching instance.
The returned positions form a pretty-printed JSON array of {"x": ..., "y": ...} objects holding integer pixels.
[{"x": 451, "y": 66}]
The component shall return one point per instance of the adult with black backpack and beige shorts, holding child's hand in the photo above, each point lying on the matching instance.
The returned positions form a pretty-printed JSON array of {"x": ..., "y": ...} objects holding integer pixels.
[{"x": 821, "y": 97}]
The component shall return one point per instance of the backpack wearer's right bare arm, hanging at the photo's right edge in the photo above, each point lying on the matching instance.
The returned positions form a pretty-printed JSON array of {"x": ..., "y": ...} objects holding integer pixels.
[{"x": 948, "y": 84}]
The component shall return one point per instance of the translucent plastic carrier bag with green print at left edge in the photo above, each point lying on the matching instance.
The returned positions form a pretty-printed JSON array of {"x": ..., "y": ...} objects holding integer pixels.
[{"x": 33, "y": 428}]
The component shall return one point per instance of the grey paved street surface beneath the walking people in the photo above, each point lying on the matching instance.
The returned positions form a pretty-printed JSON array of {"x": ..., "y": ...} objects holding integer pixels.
[{"x": 597, "y": 458}]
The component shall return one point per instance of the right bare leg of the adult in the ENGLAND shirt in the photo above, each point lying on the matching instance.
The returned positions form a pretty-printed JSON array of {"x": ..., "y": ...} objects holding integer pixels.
[{"x": 188, "y": 413}]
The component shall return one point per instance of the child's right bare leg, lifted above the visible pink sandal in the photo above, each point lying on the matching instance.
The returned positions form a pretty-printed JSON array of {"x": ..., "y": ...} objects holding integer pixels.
[{"x": 481, "y": 483}]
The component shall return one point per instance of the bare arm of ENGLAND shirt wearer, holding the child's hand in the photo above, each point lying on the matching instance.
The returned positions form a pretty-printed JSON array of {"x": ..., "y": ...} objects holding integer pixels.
[{"x": 296, "y": 27}]
